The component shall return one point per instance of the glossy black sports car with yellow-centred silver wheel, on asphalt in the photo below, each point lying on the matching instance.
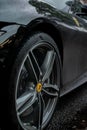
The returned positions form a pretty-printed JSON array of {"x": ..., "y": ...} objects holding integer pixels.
[{"x": 43, "y": 55}]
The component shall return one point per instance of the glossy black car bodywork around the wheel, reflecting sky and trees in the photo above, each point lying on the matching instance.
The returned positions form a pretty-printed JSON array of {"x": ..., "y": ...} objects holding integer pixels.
[{"x": 19, "y": 17}]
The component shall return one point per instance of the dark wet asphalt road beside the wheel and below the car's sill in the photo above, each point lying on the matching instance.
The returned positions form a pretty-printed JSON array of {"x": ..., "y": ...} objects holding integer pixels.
[{"x": 71, "y": 111}]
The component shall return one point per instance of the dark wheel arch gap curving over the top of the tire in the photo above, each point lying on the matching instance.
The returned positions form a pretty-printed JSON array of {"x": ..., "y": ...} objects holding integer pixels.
[{"x": 38, "y": 25}]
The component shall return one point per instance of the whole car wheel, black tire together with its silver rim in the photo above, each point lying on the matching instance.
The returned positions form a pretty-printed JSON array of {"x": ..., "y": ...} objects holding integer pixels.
[{"x": 34, "y": 84}]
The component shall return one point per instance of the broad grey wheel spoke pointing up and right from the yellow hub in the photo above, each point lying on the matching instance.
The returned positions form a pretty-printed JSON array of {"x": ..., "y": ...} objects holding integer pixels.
[{"x": 47, "y": 65}]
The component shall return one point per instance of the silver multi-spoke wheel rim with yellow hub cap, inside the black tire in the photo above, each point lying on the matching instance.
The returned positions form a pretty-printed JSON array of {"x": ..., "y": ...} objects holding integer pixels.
[{"x": 36, "y": 87}]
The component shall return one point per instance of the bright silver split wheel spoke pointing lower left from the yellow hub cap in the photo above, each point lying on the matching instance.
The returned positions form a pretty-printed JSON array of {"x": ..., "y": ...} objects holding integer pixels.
[{"x": 25, "y": 102}]
